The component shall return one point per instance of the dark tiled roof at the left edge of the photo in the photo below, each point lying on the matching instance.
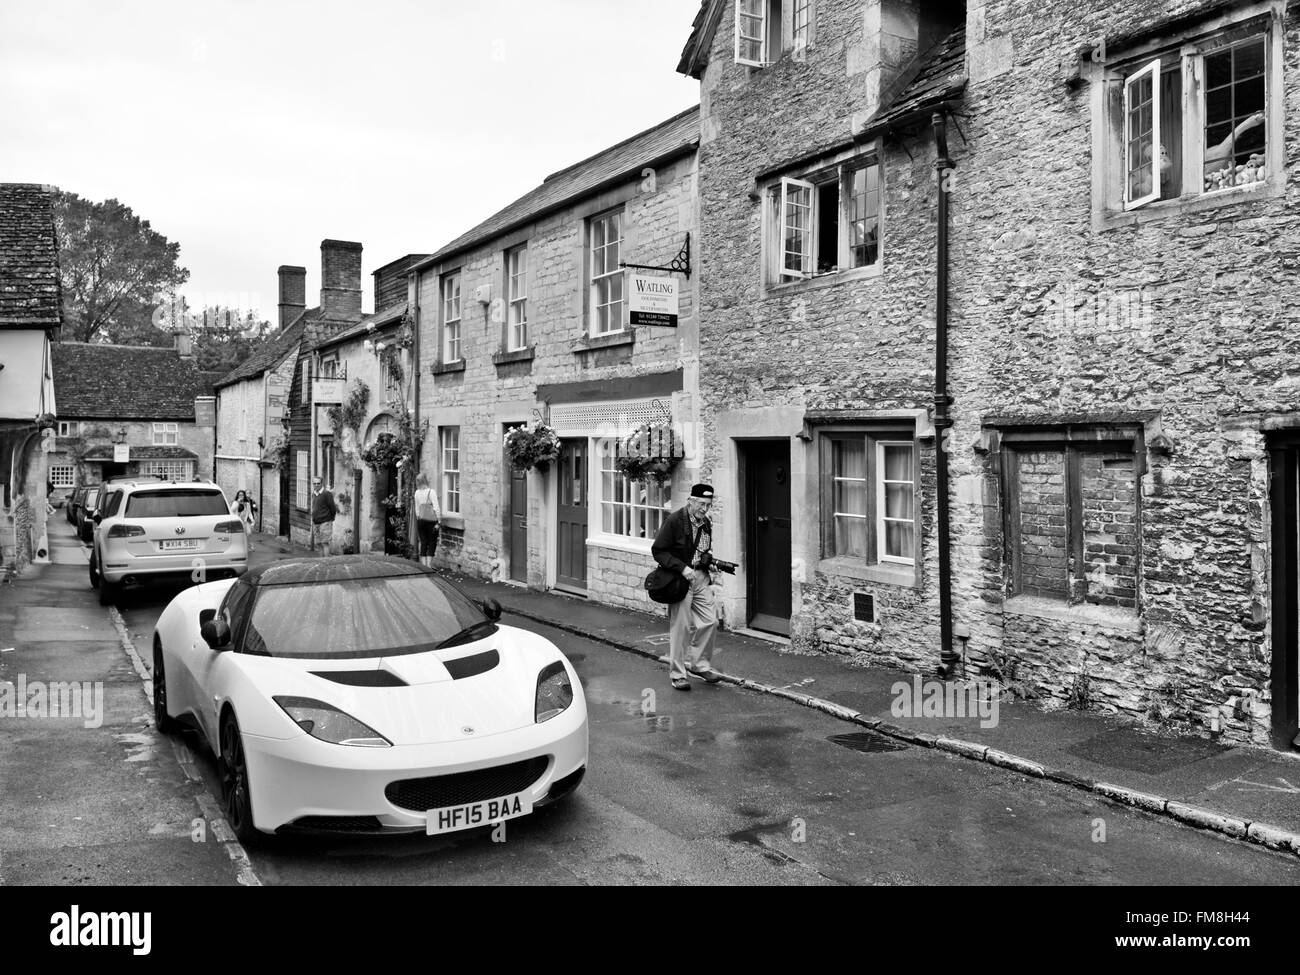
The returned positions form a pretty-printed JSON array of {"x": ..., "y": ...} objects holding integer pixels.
[{"x": 31, "y": 294}]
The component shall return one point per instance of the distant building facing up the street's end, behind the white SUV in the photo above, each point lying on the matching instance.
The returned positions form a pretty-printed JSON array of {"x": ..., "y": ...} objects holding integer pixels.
[{"x": 131, "y": 410}]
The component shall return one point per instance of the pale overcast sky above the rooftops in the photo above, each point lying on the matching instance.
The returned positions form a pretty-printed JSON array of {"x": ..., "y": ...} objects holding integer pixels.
[{"x": 249, "y": 132}]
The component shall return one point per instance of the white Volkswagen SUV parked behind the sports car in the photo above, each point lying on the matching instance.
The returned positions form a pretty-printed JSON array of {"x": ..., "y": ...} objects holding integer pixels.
[{"x": 151, "y": 531}]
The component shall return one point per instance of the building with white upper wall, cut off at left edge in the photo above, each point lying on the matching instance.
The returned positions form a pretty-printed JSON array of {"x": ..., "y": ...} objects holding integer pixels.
[{"x": 31, "y": 319}]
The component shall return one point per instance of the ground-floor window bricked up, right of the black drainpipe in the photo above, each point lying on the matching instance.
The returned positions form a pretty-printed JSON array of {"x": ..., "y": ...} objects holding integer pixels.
[{"x": 1073, "y": 523}]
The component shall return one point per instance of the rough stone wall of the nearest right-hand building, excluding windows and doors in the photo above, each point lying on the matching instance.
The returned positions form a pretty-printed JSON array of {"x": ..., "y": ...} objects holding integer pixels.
[{"x": 1071, "y": 320}]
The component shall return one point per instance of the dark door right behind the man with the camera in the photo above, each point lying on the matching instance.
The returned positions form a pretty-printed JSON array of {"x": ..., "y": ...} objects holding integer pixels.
[{"x": 768, "y": 493}]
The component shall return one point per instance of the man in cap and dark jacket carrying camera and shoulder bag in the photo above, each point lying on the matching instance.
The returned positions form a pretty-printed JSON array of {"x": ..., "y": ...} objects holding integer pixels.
[{"x": 683, "y": 541}]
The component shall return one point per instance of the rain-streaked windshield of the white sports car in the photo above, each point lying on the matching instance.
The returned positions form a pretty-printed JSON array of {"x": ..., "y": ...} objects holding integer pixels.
[{"x": 362, "y": 618}]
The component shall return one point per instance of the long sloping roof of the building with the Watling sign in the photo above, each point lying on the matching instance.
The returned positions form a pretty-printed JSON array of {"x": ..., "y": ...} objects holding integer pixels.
[{"x": 669, "y": 140}]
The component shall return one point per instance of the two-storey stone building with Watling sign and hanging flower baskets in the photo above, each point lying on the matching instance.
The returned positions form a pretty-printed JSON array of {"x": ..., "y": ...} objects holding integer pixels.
[{"x": 526, "y": 320}]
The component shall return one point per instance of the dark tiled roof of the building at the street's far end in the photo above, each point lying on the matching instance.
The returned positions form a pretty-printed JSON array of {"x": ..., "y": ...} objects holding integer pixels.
[{"x": 125, "y": 383}]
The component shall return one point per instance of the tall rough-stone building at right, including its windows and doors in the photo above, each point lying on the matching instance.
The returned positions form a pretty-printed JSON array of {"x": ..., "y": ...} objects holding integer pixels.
[{"x": 994, "y": 310}]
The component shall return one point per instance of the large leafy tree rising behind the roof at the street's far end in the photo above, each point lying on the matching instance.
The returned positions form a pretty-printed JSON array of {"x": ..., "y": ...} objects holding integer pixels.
[{"x": 114, "y": 268}]
